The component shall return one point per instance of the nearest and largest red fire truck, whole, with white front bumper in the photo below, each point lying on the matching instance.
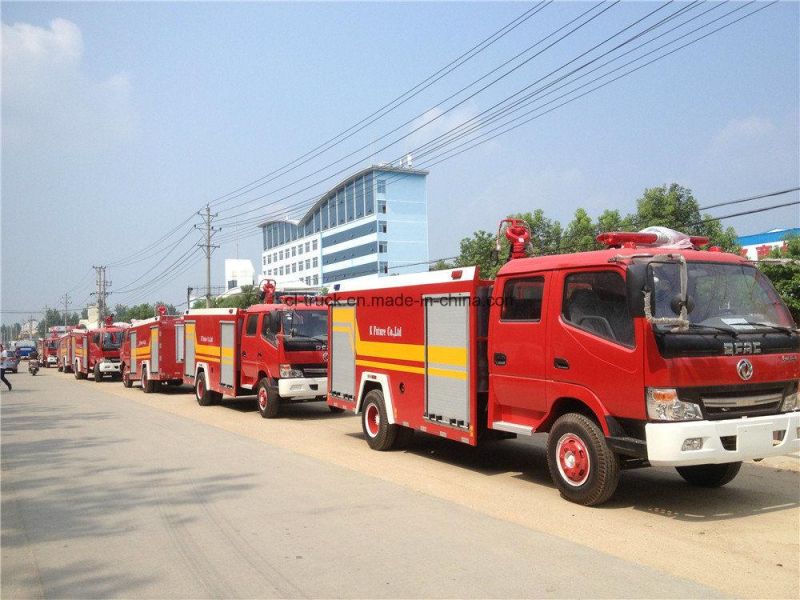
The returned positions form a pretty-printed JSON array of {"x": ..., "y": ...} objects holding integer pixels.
[{"x": 651, "y": 352}]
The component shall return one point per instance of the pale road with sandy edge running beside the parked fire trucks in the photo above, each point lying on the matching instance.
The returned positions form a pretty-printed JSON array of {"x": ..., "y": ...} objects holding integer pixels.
[{"x": 108, "y": 492}]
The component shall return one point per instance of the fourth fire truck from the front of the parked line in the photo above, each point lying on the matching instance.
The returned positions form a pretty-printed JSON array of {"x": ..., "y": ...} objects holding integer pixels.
[{"x": 96, "y": 351}]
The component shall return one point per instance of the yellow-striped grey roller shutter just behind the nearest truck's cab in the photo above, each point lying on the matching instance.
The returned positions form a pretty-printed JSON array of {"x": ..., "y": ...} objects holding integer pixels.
[{"x": 447, "y": 359}]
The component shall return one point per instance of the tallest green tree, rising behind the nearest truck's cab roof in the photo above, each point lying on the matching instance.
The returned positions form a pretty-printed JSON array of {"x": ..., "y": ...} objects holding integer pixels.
[{"x": 675, "y": 207}]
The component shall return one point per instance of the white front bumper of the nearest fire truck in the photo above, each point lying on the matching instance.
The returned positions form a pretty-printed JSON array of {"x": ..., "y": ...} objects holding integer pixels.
[{"x": 745, "y": 439}]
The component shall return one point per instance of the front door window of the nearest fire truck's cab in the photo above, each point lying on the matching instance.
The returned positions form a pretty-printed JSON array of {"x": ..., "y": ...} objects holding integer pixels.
[{"x": 596, "y": 303}]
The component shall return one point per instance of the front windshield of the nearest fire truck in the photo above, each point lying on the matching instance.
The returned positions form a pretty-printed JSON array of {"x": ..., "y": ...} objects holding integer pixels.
[{"x": 727, "y": 296}]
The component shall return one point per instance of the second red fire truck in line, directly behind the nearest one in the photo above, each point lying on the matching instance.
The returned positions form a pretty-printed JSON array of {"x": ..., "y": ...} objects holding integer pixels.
[{"x": 276, "y": 350}]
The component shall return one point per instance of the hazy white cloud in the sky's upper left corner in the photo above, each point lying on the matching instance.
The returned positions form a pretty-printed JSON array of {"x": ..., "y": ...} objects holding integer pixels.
[{"x": 48, "y": 99}]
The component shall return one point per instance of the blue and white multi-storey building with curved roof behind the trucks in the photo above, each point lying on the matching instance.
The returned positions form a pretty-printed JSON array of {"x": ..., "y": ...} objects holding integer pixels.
[{"x": 374, "y": 222}]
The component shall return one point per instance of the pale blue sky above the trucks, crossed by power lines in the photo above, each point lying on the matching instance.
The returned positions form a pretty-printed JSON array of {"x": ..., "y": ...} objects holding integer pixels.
[{"x": 120, "y": 120}]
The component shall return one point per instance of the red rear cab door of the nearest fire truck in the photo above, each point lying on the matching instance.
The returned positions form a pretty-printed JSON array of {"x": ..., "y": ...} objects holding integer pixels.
[{"x": 517, "y": 352}]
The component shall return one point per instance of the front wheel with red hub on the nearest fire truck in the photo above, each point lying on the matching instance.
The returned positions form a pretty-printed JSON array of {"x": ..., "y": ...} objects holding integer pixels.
[{"x": 582, "y": 466}]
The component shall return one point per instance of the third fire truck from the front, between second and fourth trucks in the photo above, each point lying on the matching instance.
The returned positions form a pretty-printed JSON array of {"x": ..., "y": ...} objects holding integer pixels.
[{"x": 152, "y": 352}]
